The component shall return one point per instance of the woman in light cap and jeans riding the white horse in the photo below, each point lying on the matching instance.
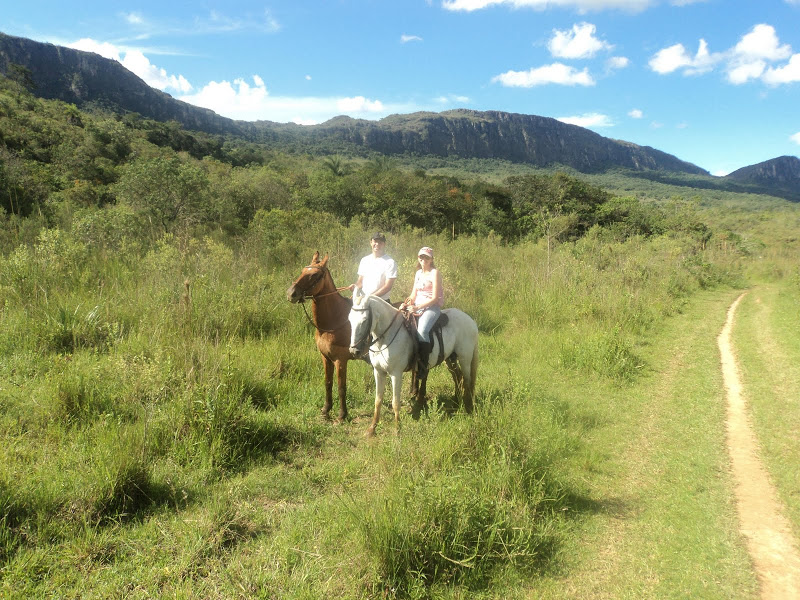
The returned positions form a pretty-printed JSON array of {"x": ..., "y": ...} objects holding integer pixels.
[{"x": 426, "y": 302}]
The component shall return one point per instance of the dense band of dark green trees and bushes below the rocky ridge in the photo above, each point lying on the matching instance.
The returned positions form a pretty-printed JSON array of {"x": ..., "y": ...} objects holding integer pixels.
[{"x": 59, "y": 164}]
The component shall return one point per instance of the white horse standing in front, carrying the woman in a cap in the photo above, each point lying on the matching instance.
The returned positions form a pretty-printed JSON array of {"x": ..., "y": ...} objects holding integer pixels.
[{"x": 392, "y": 350}]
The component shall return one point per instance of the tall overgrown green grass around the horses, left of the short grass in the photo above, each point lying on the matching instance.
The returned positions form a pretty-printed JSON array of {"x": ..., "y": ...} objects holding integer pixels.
[{"x": 139, "y": 386}]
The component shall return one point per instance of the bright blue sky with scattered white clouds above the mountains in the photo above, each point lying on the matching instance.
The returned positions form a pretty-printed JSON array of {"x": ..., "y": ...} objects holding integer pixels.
[{"x": 714, "y": 82}]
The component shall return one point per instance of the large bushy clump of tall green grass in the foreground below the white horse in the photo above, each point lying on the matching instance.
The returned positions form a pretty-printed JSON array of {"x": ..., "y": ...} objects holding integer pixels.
[{"x": 482, "y": 497}]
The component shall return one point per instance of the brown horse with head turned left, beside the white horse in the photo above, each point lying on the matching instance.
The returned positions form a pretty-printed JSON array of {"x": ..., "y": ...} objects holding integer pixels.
[{"x": 329, "y": 311}]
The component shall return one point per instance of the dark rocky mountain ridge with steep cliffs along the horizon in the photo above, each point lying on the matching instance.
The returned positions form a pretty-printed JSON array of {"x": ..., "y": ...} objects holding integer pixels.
[{"x": 87, "y": 79}]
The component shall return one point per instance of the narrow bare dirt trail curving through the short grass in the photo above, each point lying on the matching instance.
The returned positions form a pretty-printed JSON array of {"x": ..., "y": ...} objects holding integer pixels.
[{"x": 761, "y": 514}]
